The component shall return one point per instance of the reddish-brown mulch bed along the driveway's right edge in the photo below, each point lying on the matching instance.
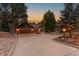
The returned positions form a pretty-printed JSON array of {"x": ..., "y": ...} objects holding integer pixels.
[{"x": 74, "y": 41}]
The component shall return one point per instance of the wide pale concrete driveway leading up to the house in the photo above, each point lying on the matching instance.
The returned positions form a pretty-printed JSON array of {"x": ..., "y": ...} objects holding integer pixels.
[{"x": 42, "y": 45}]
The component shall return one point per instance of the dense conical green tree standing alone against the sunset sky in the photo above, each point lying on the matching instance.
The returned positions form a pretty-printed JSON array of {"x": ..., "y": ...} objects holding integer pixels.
[{"x": 49, "y": 21}]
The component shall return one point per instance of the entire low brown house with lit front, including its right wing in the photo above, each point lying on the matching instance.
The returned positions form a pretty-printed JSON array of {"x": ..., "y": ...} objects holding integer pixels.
[{"x": 27, "y": 28}]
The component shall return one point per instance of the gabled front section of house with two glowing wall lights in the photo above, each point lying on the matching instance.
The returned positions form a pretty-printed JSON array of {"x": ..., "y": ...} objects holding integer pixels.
[{"x": 24, "y": 28}]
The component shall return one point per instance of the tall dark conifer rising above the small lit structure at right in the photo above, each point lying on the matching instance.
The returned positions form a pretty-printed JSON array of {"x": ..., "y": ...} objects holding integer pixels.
[{"x": 67, "y": 14}]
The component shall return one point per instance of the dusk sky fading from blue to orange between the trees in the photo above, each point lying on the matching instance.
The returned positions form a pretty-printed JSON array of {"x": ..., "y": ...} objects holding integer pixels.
[{"x": 36, "y": 11}]
